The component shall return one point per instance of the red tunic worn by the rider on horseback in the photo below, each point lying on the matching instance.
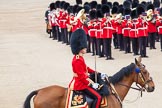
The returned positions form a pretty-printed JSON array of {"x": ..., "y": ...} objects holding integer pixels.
[{"x": 80, "y": 79}]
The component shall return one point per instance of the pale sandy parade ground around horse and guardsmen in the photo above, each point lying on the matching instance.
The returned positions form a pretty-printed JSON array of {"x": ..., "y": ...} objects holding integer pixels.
[{"x": 29, "y": 60}]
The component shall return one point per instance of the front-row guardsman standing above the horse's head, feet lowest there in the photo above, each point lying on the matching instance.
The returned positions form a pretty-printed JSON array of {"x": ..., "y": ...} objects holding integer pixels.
[{"x": 142, "y": 31}]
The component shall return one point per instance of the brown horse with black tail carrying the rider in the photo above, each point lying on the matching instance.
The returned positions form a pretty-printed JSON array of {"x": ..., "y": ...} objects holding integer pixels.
[{"x": 55, "y": 96}]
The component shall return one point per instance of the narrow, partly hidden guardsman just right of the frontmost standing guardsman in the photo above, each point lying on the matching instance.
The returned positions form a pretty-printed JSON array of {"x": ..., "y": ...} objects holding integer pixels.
[{"x": 115, "y": 37}]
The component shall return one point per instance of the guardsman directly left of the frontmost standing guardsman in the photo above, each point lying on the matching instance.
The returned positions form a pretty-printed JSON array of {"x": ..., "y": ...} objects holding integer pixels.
[{"x": 99, "y": 32}]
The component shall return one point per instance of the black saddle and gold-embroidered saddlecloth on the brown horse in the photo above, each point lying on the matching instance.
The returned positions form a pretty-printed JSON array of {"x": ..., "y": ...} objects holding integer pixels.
[{"x": 78, "y": 99}]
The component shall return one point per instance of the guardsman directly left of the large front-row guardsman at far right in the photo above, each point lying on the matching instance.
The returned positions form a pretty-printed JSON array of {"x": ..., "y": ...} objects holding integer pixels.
[{"x": 133, "y": 33}]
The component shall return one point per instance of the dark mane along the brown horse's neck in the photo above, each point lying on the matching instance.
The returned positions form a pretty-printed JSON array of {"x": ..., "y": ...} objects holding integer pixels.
[{"x": 125, "y": 71}]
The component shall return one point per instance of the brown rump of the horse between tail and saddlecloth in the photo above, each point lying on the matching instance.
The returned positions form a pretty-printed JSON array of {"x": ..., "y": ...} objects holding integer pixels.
[{"x": 50, "y": 97}]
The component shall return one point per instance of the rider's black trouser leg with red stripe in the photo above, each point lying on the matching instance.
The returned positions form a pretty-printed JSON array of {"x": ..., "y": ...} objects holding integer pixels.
[{"x": 94, "y": 95}]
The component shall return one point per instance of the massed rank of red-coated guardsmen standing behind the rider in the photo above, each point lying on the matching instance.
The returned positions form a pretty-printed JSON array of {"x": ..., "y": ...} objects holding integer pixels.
[{"x": 130, "y": 27}]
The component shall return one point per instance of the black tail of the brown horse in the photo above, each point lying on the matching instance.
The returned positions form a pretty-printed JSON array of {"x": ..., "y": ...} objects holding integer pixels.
[{"x": 28, "y": 98}]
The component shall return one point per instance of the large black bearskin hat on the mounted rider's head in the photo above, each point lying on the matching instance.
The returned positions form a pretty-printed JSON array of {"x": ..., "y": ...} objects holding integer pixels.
[{"x": 78, "y": 41}]
